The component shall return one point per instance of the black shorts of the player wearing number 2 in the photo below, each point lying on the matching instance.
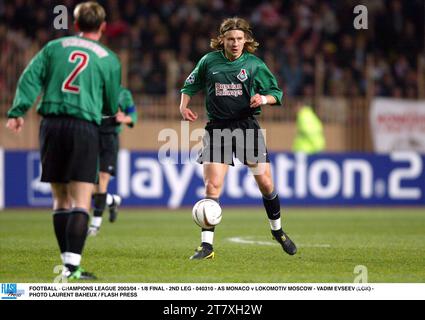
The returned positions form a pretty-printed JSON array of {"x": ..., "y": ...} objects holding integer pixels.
[{"x": 69, "y": 150}]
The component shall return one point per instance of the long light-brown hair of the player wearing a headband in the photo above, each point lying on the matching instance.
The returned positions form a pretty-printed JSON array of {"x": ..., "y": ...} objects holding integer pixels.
[{"x": 235, "y": 24}]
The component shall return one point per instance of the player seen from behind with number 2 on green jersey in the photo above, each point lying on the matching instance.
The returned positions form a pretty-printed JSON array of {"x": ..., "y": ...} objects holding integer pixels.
[{"x": 80, "y": 80}]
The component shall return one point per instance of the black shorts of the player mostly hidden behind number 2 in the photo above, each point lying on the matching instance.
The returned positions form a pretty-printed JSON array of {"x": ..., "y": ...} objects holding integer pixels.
[{"x": 108, "y": 152}]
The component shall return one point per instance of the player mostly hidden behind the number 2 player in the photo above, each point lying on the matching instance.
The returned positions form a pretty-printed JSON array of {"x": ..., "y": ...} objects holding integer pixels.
[{"x": 109, "y": 147}]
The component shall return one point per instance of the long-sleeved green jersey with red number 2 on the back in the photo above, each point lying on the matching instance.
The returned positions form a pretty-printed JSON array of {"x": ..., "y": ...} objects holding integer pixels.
[{"x": 78, "y": 77}]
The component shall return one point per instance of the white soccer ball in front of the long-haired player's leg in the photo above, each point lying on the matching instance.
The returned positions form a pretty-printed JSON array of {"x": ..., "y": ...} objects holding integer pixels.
[{"x": 207, "y": 213}]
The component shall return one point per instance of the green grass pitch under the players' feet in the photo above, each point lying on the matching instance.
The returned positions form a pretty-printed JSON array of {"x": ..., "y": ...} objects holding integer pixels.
[{"x": 146, "y": 246}]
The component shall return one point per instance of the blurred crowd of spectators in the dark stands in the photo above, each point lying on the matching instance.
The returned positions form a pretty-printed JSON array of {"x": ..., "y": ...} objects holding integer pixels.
[{"x": 294, "y": 36}]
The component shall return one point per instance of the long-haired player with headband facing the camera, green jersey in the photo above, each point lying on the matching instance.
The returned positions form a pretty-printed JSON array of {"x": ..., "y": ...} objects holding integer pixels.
[{"x": 236, "y": 84}]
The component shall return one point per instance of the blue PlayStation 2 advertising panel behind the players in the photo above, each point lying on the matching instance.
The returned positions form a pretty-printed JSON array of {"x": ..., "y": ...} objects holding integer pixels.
[{"x": 324, "y": 180}]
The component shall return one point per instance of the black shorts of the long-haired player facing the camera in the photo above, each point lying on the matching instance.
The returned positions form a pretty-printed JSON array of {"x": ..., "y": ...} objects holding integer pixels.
[{"x": 241, "y": 138}]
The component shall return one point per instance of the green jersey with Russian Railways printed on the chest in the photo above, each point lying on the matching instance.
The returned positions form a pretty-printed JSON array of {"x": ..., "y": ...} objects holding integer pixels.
[{"x": 229, "y": 85}]
